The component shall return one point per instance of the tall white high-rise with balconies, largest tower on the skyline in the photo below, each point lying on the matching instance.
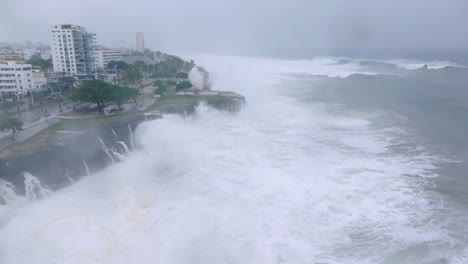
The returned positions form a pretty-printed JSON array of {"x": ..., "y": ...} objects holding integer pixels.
[{"x": 73, "y": 50}]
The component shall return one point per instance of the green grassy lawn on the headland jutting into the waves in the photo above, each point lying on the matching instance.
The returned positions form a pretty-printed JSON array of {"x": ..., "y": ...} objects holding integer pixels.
[{"x": 185, "y": 100}]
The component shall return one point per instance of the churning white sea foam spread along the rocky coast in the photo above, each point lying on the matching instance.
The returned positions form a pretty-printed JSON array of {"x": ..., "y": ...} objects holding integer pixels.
[{"x": 280, "y": 182}]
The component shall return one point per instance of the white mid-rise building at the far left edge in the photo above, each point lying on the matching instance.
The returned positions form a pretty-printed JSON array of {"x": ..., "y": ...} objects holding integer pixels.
[{"x": 15, "y": 79}]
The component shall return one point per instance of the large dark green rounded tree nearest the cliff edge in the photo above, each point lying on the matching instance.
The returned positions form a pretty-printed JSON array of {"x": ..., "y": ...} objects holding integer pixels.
[{"x": 93, "y": 91}]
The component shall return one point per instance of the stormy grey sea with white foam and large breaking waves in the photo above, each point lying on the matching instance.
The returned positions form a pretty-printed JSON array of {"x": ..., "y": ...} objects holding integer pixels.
[{"x": 332, "y": 160}]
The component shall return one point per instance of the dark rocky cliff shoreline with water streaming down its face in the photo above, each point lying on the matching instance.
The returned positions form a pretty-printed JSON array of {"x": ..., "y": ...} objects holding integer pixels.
[{"x": 71, "y": 149}]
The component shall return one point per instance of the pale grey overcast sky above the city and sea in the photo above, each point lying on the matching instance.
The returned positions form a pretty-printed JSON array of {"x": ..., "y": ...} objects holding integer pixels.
[{"x": 247, "y": 26}]
